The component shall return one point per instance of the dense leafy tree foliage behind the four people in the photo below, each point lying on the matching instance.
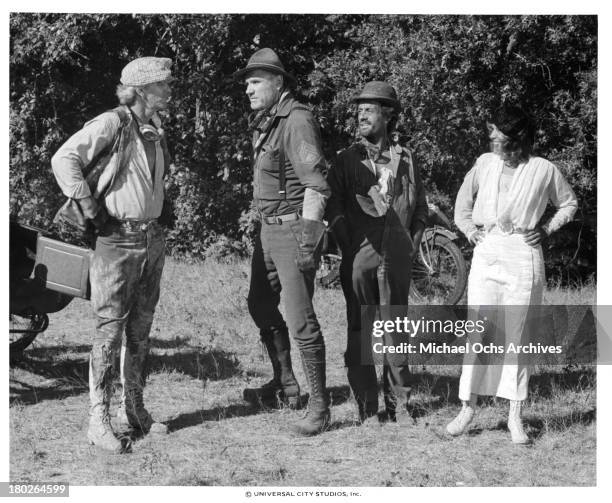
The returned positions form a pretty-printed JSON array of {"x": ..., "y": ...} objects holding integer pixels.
[{"x": 450, "y": 71}]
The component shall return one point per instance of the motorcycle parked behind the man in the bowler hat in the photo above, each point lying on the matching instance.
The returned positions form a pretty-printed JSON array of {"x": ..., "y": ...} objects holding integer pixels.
[{"x": 439, "y": 273}]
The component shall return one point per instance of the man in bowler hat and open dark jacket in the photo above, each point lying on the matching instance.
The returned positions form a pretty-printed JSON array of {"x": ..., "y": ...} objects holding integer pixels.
[{"x": 377, "y": 214}]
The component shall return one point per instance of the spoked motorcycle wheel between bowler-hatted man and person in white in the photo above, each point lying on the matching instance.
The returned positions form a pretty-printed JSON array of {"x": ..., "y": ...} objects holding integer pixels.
[{"x": 439, "y": 274}]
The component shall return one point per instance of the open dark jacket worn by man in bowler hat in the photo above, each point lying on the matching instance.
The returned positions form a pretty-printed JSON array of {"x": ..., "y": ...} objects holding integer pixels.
[{"x": 351, "y": 179}]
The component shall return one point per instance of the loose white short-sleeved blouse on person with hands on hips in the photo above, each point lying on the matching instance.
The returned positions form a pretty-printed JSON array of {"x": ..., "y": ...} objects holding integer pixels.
[{"x": 534, "y": 183}]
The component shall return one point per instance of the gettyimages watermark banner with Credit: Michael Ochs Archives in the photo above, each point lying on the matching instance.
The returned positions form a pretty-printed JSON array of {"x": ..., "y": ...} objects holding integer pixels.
[{"x": 440, "y": 335}]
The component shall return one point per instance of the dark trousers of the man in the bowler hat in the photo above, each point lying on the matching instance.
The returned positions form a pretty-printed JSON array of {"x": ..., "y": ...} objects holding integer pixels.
[{"x": 374, "y": 287}]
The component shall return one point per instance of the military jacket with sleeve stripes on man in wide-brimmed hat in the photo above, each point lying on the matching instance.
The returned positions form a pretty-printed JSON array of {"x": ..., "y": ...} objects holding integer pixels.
[{"x": 292, "y": 138}]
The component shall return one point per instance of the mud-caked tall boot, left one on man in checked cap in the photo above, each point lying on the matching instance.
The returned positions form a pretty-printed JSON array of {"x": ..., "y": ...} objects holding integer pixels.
[{"x": 100, "y": 432}]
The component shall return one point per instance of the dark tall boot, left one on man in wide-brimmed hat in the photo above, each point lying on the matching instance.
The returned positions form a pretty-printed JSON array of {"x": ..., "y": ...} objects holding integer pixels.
[{"x": 283, "y": 386}]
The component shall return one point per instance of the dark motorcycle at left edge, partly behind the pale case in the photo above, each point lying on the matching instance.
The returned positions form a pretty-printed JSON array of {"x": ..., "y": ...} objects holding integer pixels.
[{"x": 30, "y": 301}]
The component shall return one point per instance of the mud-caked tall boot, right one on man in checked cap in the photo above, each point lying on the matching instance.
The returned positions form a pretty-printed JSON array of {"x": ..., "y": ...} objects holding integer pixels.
[{"x": 132, "y": 412}]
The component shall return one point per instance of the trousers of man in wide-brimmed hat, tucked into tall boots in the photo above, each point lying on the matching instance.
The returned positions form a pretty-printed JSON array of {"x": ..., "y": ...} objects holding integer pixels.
[{"x": 273, "y": 269}]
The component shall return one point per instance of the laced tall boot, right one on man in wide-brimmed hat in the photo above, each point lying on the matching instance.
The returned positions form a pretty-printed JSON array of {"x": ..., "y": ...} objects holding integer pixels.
[{"x": 317, "y": 418}]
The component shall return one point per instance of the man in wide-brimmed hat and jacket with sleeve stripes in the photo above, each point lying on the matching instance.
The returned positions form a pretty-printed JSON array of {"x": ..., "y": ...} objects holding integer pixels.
[{"x": 290, "y": 194}]
